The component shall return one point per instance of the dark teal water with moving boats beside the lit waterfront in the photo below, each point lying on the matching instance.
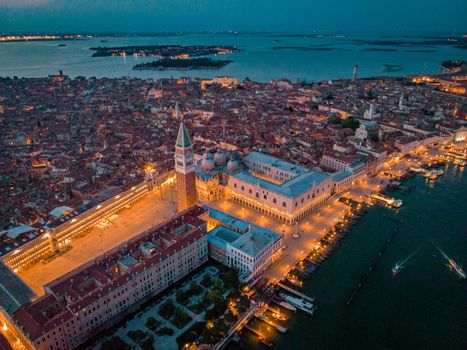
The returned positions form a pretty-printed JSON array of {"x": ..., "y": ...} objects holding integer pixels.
[{"x": 425, "y": 307}]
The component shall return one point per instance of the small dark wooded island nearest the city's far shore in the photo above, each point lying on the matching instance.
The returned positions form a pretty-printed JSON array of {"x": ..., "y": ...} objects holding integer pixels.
[{"x": 182, "y": 64}]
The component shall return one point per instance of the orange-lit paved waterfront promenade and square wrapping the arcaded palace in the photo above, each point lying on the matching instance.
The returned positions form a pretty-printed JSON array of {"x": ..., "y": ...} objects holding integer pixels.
[{"x": 314, "y": 226}]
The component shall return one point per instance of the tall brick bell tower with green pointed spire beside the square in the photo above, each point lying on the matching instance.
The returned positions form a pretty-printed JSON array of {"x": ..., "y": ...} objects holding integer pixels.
[{"x": 185, "y": 169}]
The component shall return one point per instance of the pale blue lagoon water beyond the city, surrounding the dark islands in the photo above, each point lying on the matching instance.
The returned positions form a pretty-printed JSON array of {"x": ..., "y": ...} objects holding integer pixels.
[{"x": 266, "y": 57}]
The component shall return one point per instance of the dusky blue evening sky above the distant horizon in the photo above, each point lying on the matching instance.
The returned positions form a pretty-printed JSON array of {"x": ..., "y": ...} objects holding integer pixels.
[{"x": 237, "y": 15}]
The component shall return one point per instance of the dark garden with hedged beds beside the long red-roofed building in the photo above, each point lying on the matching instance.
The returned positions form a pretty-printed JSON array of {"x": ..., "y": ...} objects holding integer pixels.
[{"x": 199, "y": 311}]
